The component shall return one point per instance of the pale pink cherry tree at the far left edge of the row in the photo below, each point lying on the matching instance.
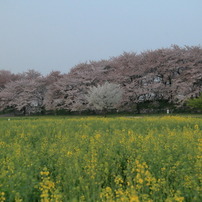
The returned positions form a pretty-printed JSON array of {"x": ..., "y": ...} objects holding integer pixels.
[{"x": 25, "y": 95}]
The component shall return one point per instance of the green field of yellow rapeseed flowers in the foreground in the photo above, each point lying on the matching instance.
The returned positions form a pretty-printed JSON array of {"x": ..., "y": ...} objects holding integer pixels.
[{"x": 101, "y": 159}]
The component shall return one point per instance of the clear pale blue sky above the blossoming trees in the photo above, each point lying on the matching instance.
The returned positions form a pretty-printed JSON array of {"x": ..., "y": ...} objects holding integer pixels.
[{"x": 56, "y": 35}]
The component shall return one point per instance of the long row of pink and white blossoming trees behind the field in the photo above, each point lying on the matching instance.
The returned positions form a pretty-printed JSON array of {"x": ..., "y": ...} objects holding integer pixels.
[{"x": 150, "y": 81}]
